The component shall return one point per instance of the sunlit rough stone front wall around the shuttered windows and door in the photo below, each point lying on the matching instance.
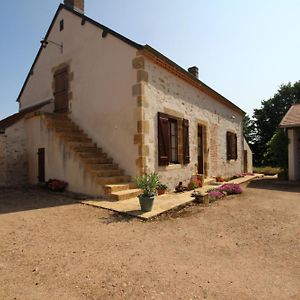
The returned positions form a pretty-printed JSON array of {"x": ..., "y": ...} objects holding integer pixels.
[{"x": 167, "y": 93}]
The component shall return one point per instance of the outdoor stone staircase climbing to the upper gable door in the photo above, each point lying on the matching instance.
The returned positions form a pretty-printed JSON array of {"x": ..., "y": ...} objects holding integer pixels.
[{"x": 96, "y": 163}]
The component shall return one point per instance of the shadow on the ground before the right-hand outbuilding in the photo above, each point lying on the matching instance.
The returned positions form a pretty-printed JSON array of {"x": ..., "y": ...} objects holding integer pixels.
[{"x": 275, "y": 184}]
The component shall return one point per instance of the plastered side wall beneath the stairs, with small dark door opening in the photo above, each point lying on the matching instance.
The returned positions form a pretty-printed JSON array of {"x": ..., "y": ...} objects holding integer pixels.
[{"x": 60, "y": 162}]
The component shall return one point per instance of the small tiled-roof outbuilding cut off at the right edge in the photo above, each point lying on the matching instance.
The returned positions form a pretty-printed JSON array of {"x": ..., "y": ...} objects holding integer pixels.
[{"x": 291, "y": 123}]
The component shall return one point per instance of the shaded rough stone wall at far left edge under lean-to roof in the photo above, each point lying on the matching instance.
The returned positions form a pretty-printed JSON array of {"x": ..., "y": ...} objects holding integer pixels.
[{"x": 13, "y": 156}]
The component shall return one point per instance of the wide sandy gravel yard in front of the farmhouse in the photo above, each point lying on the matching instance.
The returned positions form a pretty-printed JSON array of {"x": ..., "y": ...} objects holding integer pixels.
[{"x": 244, "y": 247}]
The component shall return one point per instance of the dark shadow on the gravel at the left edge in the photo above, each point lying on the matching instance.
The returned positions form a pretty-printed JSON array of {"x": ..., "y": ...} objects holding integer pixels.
[{"x": 15, "y": 200}]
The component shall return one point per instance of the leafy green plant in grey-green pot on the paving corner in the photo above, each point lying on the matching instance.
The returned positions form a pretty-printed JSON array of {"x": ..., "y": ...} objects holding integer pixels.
[{"x": 148, "y": 183}]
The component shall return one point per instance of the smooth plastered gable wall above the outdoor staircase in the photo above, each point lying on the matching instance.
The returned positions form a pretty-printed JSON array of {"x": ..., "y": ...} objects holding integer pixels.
[{"x": 102, "y": 104}]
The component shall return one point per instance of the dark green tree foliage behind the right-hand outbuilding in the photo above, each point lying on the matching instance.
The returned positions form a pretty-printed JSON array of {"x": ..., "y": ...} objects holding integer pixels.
[{"x": 266, "y": 119}]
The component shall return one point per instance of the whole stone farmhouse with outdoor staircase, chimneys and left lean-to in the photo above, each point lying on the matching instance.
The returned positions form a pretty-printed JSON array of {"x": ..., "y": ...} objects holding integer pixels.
[{"x": 97, "y": 109}]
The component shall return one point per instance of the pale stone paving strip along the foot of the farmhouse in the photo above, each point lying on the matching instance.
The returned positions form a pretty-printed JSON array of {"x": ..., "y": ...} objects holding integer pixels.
[{"x": 161, "y": 204}]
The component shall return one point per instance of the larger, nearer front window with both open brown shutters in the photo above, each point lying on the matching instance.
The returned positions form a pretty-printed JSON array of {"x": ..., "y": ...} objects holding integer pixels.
[{"x": 168, "y": 140}]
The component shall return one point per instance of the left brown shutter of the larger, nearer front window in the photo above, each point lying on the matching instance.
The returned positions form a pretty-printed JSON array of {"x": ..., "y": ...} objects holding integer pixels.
[{"x": 163, "y": 139}]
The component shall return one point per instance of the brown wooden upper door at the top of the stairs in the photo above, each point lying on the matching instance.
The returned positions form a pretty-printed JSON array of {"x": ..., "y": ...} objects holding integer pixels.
[{"x": 61, "y": 90}]
